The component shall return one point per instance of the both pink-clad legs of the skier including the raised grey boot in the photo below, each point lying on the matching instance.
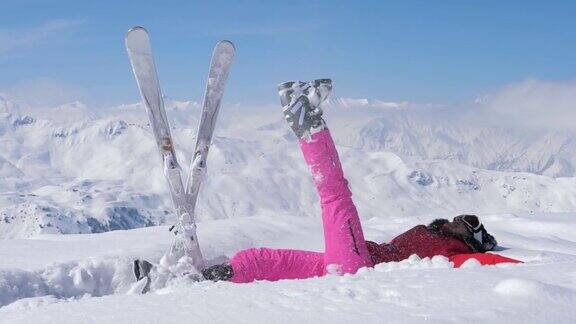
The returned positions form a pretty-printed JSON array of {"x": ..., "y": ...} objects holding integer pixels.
[{"x": 345, "y": 247}]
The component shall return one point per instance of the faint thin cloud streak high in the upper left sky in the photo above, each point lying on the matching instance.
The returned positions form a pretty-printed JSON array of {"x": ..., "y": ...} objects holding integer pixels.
[{"x": 12, "y": 39}]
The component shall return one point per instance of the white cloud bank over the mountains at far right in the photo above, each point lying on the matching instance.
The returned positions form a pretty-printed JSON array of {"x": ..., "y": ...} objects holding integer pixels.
[{"x": 529, "y": 104}]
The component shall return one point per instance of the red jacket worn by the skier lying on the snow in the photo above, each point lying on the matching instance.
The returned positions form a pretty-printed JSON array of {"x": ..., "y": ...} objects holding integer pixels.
[{"x": 422, "y": 242}]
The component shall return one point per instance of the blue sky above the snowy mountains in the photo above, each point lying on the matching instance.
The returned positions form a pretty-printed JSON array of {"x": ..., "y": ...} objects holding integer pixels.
[{"x": 427, "y": 51}]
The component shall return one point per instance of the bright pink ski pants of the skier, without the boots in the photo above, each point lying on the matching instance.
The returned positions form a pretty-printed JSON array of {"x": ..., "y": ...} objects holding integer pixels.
[{"x": 345, "y": 248}]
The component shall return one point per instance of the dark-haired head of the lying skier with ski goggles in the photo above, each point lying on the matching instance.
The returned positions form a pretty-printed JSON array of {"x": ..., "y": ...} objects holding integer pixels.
[{"x": 467, "y": 228}]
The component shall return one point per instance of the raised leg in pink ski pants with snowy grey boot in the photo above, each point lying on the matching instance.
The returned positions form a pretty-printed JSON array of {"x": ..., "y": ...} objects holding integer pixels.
[{"x": 343, "y": 237}]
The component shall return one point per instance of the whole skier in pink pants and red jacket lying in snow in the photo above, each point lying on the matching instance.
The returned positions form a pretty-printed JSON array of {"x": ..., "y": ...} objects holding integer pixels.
[{"x": 346, "y": 250}]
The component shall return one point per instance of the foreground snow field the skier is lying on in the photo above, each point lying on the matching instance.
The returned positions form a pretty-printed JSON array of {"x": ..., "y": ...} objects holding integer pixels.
[{"x": 64, "y": 273}]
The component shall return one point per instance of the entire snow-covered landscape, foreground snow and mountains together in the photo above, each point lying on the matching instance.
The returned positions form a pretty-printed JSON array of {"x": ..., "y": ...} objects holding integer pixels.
[{"x": 96, "y": 177}]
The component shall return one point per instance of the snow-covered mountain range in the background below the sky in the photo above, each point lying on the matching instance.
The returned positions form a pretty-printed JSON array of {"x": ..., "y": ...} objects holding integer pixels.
[{"x": 72, "y": 169}]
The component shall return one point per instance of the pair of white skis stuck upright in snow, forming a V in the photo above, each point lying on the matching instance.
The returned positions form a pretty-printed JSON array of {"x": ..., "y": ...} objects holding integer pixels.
[{"x": 185, "y": 249}]
